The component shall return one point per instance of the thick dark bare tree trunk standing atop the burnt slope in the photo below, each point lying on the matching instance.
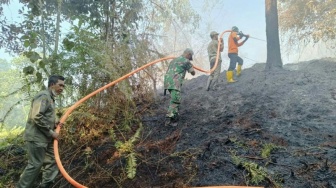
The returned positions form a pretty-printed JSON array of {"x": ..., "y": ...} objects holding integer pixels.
[{"x": 272, "y": 35}]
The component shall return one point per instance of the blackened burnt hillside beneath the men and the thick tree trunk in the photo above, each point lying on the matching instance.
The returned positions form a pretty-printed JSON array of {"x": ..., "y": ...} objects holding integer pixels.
[{"x": 268, "y": 129}]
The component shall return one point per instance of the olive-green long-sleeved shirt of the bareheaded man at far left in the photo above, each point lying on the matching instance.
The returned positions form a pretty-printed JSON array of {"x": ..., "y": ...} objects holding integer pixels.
[{"x": 41, "y": 118}]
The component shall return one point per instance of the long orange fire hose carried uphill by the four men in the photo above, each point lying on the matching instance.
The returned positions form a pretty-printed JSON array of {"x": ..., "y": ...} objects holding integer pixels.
[{"x": 73, "y": 107}]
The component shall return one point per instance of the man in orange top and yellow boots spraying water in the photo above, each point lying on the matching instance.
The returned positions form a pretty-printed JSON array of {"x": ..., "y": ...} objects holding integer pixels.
[{"x": 233, "y": 53}]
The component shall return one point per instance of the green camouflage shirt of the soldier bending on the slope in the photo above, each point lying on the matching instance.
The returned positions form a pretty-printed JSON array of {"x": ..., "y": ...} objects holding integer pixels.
[{"x": 176, "y": 72}]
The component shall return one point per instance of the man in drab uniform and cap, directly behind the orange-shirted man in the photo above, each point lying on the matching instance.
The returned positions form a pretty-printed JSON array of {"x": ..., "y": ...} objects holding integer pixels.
[{"x": 212, "y": 53}]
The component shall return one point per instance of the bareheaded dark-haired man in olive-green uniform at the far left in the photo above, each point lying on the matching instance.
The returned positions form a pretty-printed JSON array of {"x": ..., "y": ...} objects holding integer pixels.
[{"x": 39, "y": 135}]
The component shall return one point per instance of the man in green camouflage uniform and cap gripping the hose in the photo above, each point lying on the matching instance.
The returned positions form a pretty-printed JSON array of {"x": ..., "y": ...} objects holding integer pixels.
[{"x": 173, "y": 80}]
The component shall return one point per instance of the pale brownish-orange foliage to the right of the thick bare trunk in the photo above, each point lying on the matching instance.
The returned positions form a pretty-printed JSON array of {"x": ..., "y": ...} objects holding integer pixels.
[{"x": 304, "y": 22}]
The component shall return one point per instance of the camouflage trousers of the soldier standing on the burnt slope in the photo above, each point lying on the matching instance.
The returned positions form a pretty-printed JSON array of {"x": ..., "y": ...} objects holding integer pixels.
[{"x": 174, "y": 105}]
